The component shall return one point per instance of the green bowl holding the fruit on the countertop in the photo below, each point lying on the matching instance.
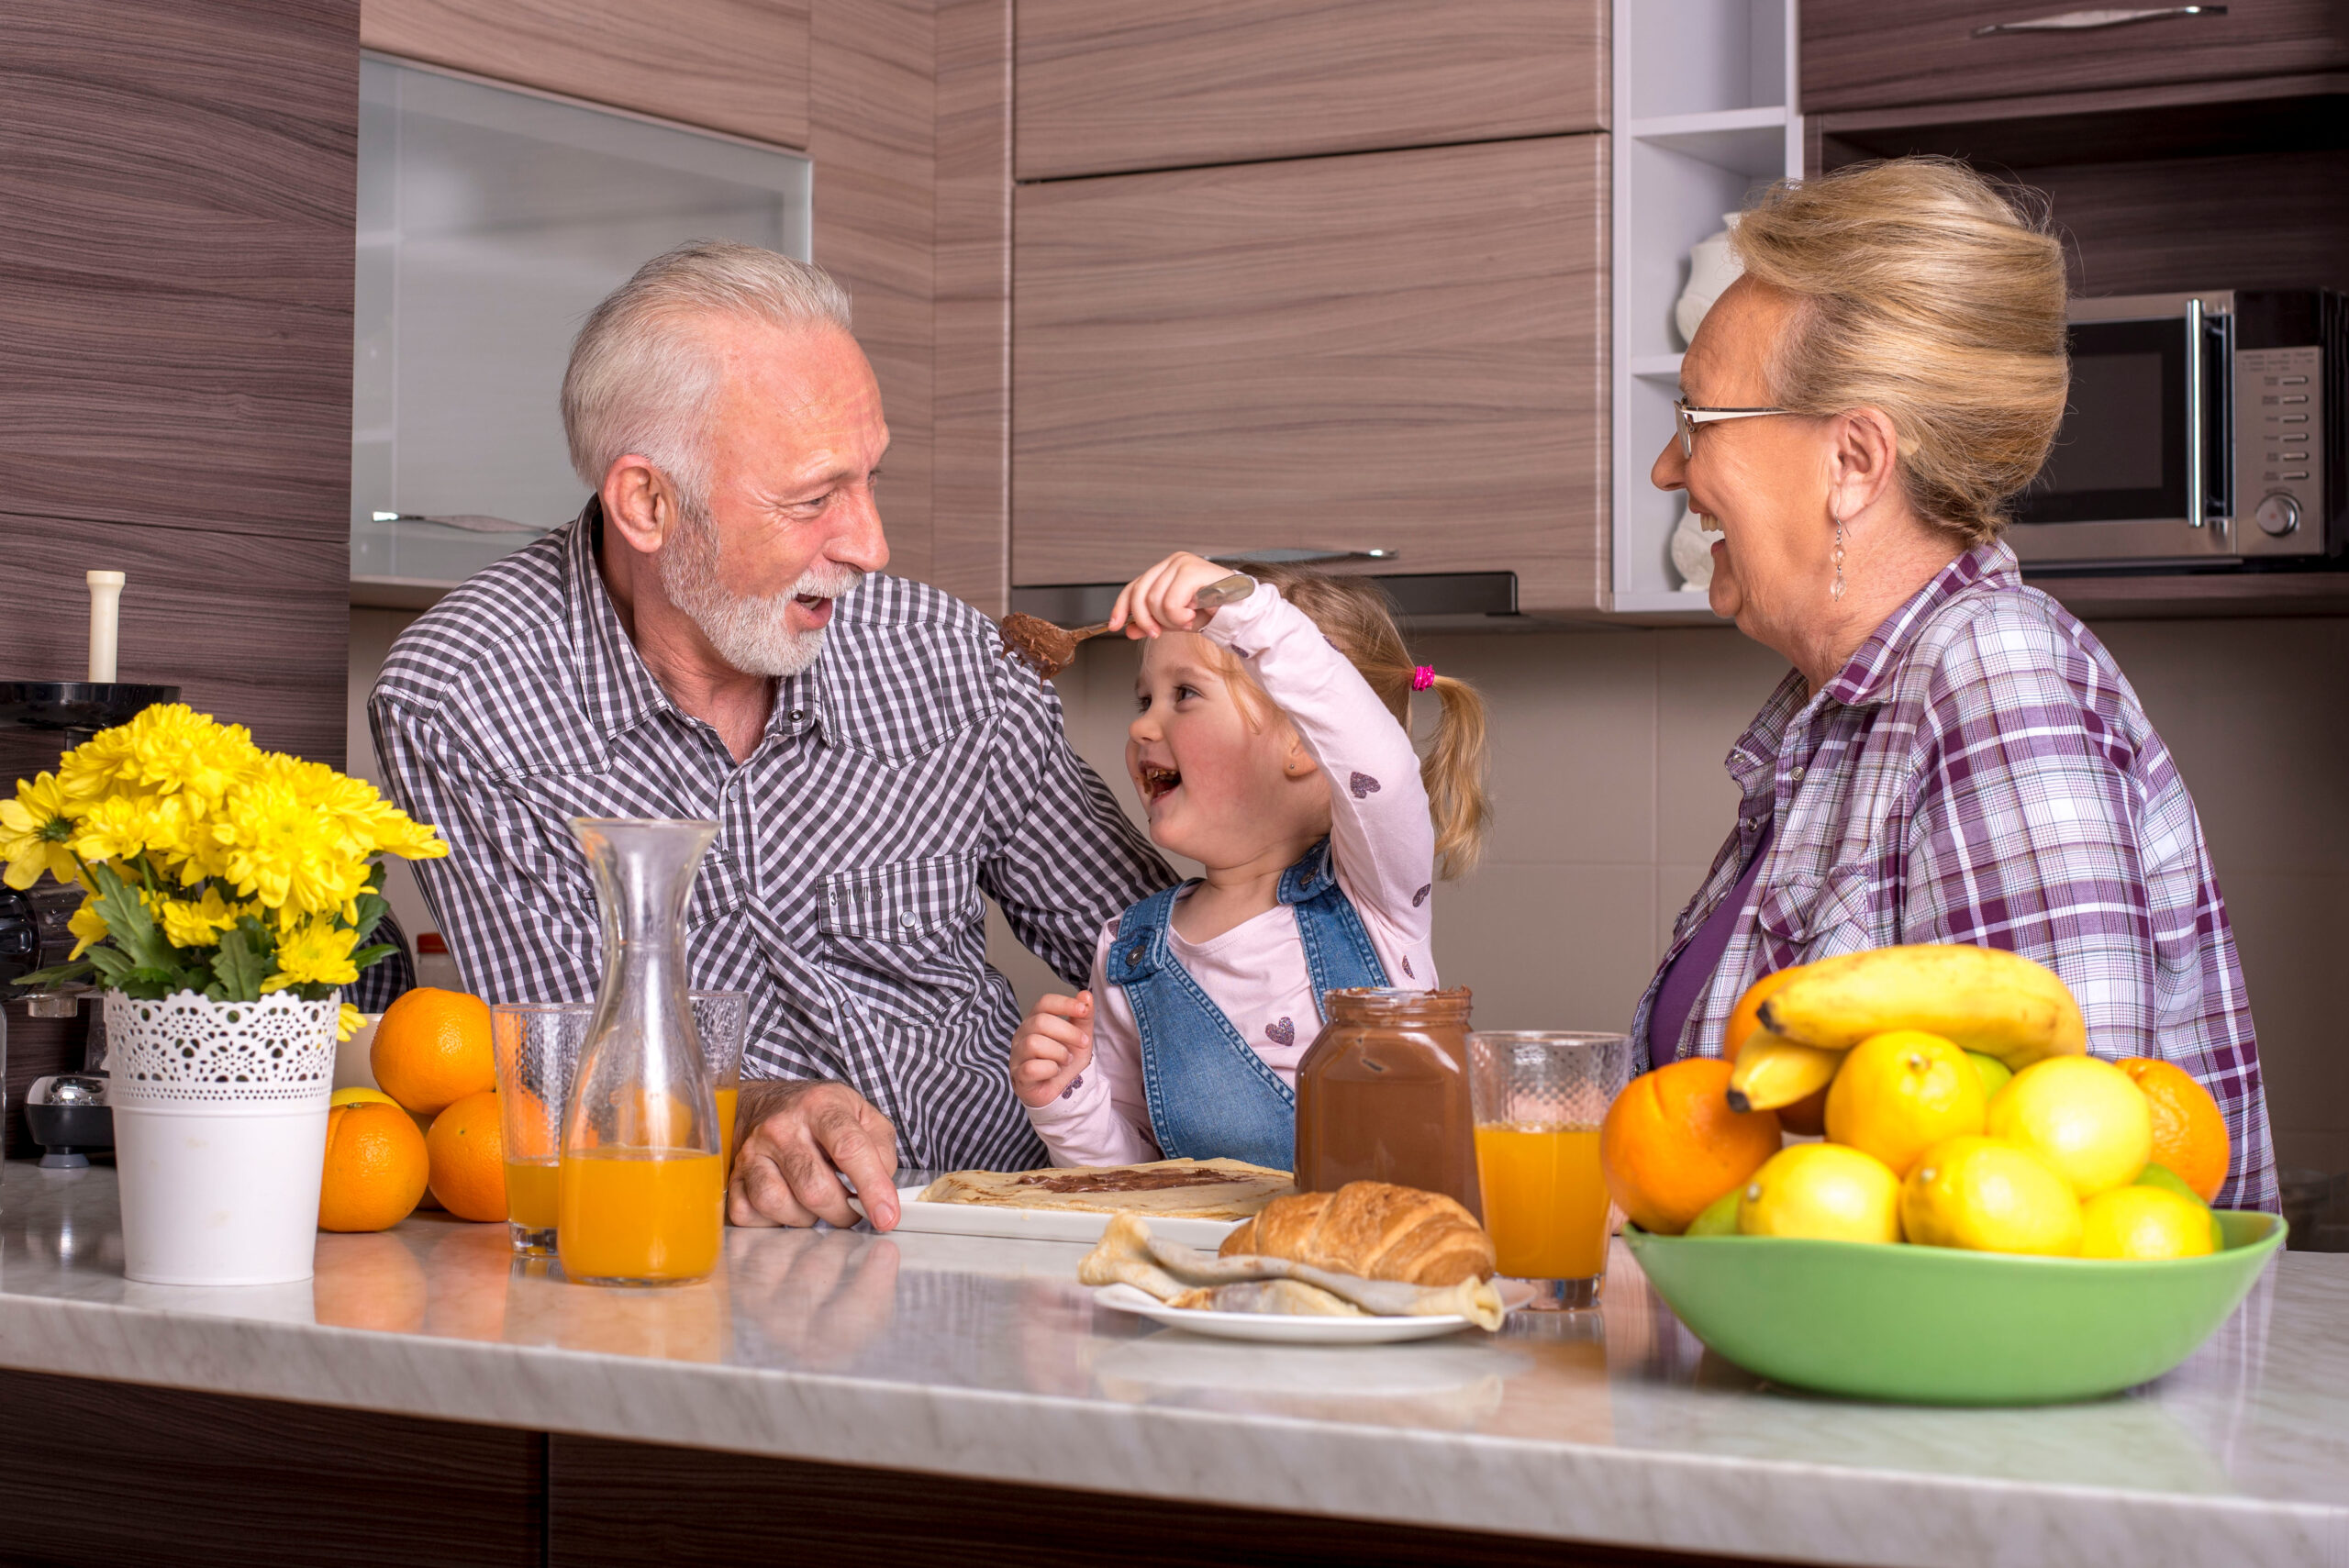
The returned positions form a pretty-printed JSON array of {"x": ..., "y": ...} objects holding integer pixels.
[{"x": 1932, "y": 1325}]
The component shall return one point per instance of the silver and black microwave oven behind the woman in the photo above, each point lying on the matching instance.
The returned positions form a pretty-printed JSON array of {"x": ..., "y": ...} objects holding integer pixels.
[{"x": 2205, "y": 431}]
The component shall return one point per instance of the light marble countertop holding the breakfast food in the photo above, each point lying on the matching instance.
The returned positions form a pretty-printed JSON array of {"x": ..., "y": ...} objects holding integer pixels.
[{"x": 988, "y": 1360}]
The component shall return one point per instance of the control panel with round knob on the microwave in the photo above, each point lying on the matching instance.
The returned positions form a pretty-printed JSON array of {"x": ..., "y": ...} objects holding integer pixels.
[{"x": 2280, "y": 454}]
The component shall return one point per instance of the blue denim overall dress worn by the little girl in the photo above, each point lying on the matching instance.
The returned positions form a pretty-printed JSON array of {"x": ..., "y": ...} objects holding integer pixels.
[{"x": 1211, "y": 1095}]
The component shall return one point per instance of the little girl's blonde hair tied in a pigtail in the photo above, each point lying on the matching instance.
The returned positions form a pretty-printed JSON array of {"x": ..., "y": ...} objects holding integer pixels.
[{"x": 1359, "y": 623}]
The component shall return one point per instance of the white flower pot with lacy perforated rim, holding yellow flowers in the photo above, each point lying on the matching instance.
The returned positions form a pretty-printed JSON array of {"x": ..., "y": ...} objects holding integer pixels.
[{"x": 220, "y": 1135}]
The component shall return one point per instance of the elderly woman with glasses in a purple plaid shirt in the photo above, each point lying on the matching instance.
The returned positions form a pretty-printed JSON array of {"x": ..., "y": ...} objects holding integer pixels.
[{"x": 1953, "y": 757}]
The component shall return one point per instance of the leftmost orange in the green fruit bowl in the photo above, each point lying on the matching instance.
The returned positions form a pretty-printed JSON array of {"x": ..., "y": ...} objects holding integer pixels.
[{"x": 1671, "y": 1144}]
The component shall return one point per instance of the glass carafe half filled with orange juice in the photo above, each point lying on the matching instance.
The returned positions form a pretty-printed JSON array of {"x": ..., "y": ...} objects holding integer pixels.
[{"x": 645, "y": 1177}]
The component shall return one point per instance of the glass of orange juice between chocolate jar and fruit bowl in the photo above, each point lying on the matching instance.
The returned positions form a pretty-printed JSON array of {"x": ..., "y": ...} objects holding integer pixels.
[{"x": 1540, "y": 1100}]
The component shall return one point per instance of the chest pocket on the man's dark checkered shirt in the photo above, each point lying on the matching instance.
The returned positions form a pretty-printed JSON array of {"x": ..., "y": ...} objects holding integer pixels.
[{"x": 898, "y": 933}]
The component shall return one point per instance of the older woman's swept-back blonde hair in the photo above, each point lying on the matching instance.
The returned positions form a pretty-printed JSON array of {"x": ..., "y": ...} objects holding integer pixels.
[{"x": 1927, "y": 292}]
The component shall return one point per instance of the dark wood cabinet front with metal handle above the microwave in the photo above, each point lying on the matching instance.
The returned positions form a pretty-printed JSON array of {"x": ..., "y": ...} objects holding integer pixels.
[{"x": 1866, "y": 55}]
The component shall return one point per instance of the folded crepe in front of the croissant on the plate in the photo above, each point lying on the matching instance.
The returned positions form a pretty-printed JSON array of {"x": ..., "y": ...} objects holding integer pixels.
[{"x": 1171, "y": 1271}]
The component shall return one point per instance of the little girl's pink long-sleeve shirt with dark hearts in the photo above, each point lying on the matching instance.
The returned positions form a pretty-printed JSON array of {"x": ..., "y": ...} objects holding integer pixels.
[{"x": 1382, "y": 851}]
